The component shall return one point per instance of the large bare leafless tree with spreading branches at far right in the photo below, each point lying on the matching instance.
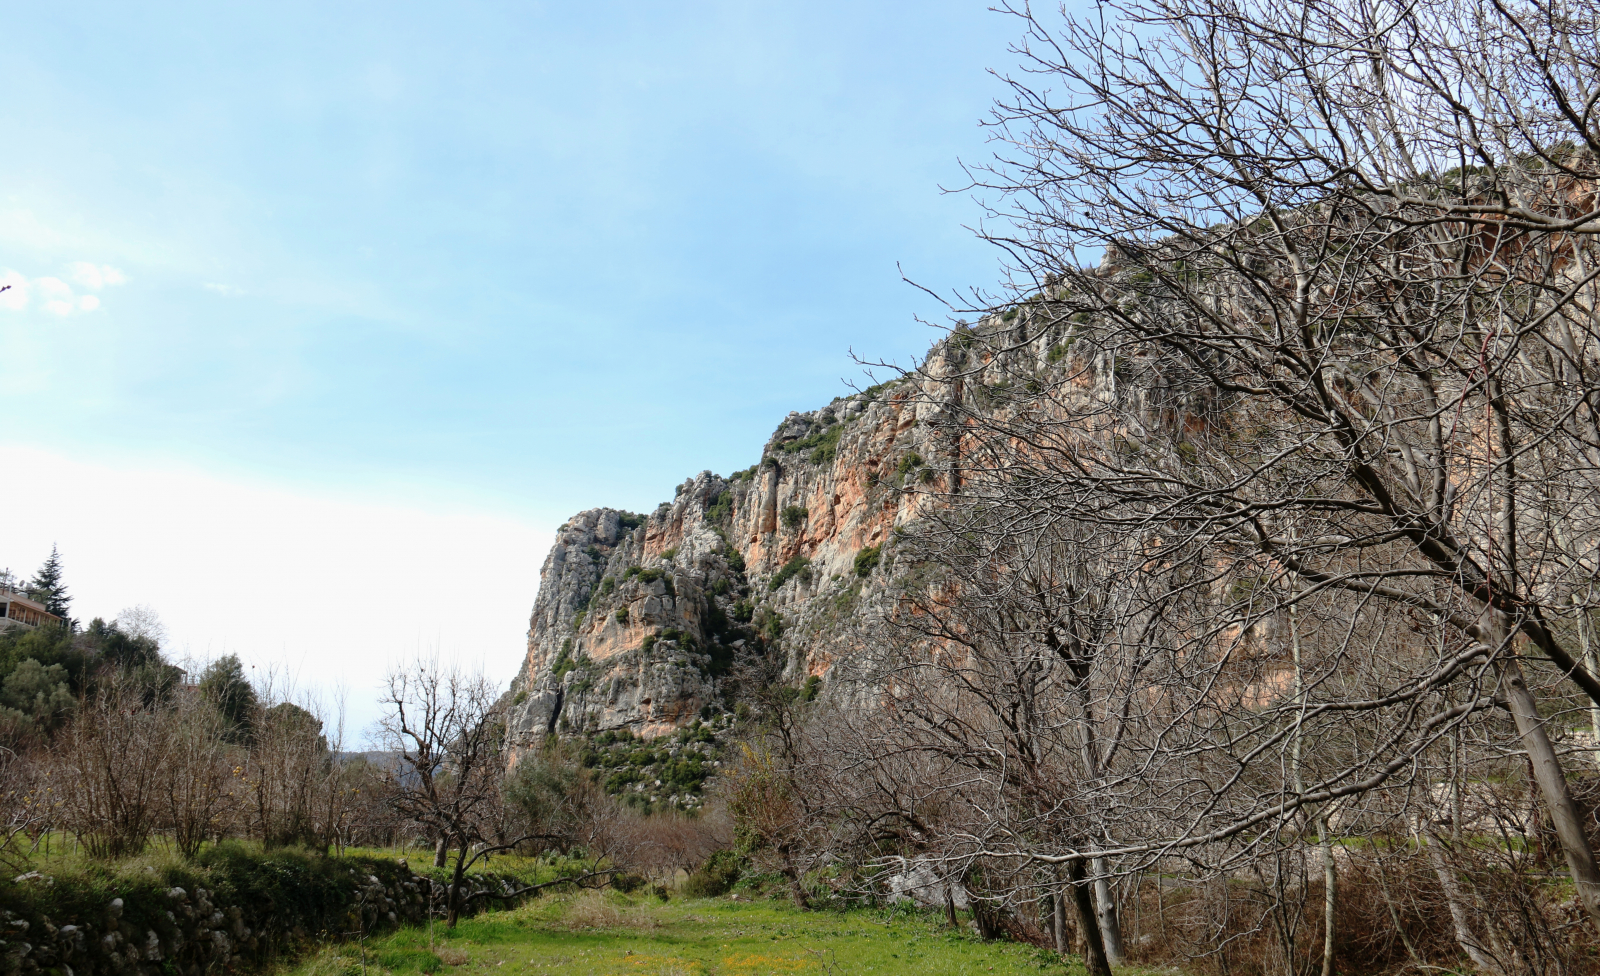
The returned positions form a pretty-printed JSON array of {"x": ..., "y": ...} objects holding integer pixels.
[{"x": 1311, "y": 311}]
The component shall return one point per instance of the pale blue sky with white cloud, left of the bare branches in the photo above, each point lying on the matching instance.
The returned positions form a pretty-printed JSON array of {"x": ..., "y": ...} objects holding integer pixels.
[{"x": 326, "y": 316}]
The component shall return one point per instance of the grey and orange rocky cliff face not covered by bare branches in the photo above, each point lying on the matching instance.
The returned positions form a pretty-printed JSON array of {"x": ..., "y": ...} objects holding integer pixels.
[{"x": 639, "y": 617}]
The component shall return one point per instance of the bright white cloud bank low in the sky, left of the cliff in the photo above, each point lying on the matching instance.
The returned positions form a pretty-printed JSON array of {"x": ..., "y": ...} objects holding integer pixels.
[{"x": 327, "y": 591}]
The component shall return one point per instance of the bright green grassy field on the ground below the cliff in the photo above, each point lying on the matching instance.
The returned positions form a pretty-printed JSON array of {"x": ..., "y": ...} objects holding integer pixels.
[{"x": 609, "y": 934}]
